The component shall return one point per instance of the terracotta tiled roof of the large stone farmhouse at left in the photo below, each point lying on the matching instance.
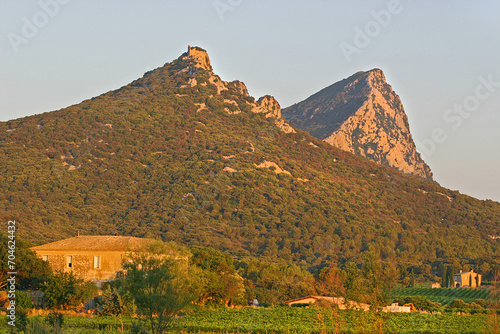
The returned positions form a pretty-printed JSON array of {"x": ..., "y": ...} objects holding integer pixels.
[{"x": 94, "y": 243}]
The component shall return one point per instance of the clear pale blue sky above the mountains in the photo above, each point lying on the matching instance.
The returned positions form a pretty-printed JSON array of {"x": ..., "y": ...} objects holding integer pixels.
[{"x": 441, "y": 58}]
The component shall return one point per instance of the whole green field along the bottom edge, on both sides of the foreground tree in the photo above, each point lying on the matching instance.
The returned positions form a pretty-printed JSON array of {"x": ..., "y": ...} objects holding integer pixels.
[{"x": 281, "y": 319}]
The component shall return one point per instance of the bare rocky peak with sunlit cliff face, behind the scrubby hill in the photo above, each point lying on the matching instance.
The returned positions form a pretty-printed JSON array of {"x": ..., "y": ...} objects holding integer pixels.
[{"x": 364, "y": 116}]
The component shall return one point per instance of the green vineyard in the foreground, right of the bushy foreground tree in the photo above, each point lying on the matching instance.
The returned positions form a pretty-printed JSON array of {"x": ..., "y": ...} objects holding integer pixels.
[{"x": 327, "y": 320}]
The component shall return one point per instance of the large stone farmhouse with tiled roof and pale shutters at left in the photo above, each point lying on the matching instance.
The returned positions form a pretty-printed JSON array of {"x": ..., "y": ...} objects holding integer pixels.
[{"x": 96, "y": 258}]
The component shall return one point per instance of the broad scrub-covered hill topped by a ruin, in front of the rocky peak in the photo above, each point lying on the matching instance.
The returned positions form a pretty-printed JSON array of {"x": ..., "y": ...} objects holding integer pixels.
[{"x": 182, "y": 155}]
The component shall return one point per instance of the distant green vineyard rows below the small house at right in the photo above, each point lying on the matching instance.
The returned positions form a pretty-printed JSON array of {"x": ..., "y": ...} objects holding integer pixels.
[{"x": 444, "y": 296}]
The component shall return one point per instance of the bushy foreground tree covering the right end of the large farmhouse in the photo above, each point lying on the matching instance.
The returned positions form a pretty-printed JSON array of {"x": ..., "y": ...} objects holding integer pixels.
[{"x": 161, "y": 282}]
